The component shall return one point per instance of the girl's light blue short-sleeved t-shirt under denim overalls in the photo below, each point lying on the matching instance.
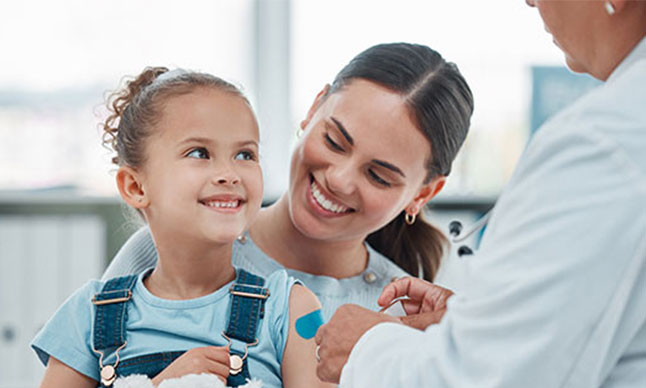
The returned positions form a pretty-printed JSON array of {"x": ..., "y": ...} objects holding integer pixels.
[{"x": 160, "y": 325}]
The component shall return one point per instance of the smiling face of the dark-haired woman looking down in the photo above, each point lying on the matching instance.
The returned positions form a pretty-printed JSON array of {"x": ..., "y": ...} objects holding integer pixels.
[{"x": 360, "y": 162}]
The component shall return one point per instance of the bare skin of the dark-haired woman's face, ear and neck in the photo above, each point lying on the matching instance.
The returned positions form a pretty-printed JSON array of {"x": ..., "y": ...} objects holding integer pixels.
[{"x": 349, "y": 174}]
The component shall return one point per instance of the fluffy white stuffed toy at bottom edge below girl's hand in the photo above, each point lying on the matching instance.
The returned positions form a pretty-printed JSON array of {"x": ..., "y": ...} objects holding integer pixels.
[{"x": 189, "y": 381}]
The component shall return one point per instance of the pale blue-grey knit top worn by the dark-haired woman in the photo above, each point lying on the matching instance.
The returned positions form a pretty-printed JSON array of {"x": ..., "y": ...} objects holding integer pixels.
[{"x": 364, "y": 289}]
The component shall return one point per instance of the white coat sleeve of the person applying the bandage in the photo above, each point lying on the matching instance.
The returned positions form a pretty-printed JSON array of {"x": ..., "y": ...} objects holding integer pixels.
[{"x": 556, "y": 290}]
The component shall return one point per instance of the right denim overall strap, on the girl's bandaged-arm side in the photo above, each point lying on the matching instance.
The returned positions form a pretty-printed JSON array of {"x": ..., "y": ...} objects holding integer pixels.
[{"x": 247, "y": 306}]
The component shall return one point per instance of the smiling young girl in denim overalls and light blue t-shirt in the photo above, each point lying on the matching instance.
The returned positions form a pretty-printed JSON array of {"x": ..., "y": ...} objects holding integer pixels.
[{"x": 187, "y": 151}]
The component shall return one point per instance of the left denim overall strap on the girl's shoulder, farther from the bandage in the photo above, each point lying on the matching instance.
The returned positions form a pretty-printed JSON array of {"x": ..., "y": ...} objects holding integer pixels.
[{"x": 111, "y": 313}]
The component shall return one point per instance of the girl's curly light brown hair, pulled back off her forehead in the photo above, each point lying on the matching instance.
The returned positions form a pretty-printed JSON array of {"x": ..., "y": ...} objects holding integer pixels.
[{"x": 137, "y": 107}]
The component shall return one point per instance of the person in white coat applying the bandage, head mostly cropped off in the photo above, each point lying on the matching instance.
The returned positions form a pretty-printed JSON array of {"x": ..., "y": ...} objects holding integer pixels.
[{"x": 556, "y": 295}]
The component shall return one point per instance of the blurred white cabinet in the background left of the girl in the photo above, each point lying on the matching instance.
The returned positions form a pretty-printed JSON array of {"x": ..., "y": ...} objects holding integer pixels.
[{"x": 43, "y": 259}]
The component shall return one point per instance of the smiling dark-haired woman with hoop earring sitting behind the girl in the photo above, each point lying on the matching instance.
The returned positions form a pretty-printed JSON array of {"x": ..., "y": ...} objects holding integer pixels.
[{"x": 376, "y": 145}]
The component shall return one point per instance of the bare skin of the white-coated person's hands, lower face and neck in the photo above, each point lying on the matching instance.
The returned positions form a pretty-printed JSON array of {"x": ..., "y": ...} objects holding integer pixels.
[{"x": 593, "y": 42}]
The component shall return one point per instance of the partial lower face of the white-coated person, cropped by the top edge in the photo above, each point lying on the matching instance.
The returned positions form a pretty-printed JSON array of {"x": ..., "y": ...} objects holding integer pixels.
[{"x": 571, "y": 24}]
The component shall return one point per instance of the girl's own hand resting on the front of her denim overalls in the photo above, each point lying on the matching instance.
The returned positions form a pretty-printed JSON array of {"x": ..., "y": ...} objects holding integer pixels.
[{"x": 208, "y": 359}]
